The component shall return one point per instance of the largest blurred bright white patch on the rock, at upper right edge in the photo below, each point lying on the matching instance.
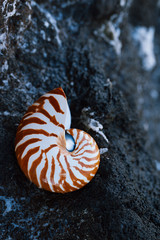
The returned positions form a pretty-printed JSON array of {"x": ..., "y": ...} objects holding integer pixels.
[{"x": 145, "y": 38}]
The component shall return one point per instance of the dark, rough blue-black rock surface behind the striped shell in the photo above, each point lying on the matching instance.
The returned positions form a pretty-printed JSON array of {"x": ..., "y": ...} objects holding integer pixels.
[{"x": 79, "y": 45}]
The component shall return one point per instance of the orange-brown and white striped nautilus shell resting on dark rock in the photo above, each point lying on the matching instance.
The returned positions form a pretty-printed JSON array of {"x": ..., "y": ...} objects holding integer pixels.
[{"x": 53, "y": 156}]
